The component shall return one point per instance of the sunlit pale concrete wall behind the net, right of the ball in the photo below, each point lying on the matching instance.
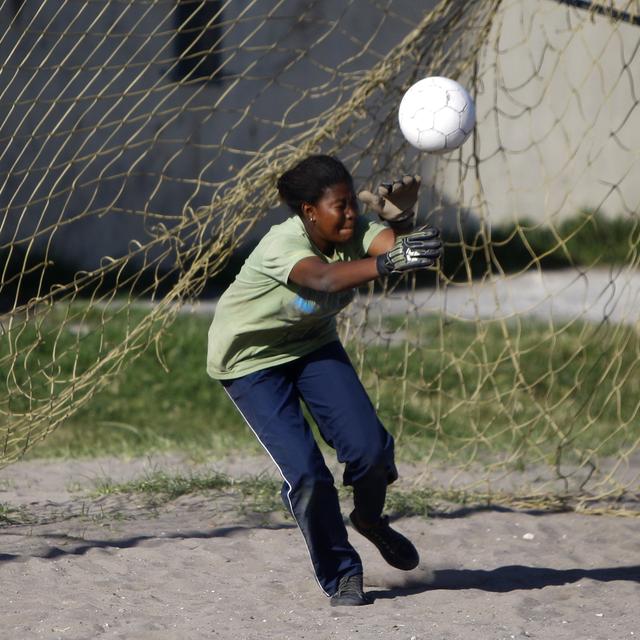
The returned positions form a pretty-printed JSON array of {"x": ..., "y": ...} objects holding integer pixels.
[{"x": 558, "y": 117}]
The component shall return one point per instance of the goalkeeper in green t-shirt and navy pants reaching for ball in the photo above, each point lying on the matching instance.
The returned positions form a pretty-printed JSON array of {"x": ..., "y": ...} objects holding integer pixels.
[{"x": 273, "y": 345}]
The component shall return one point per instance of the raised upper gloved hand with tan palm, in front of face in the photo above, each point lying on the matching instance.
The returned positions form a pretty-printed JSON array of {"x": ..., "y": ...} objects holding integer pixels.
[{"x": 395, "y": 202}]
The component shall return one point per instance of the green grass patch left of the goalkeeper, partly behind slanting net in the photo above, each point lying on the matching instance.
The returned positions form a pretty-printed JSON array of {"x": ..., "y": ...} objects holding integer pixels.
[{"x": 142, "y": 409}]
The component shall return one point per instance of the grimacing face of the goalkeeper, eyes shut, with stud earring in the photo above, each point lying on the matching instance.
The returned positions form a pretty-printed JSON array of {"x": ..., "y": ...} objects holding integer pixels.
[{"x": 332, "y": 219}]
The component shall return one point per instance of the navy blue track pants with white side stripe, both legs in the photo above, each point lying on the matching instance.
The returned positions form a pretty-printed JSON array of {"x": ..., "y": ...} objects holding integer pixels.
[{"x": 270, "y": 402}]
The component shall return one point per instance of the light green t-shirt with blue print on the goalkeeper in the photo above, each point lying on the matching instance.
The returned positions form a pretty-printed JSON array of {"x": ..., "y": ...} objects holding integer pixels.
[{"x": 262, "y": 319}]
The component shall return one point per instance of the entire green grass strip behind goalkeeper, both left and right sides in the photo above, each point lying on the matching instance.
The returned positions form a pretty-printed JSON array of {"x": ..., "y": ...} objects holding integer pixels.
[{"x": 462, "y": 389}]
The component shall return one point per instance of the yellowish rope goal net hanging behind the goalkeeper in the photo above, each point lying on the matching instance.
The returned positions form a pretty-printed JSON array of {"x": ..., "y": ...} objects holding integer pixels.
[{"x": 140, "y": 146}]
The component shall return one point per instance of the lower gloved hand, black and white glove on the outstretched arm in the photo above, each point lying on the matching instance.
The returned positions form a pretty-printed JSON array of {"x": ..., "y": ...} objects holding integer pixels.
[{"x": 417, "y": 250}]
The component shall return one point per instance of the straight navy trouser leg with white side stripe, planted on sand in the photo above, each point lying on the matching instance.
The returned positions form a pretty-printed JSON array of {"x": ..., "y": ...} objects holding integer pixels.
[{"x": 271, "y": 407}]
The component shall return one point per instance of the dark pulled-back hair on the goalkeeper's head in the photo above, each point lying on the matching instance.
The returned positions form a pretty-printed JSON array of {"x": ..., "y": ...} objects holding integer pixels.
[{"x": 307, "y": 181}]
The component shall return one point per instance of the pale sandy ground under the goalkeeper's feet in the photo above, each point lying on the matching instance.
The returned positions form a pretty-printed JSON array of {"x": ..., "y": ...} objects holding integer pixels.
[{"x": 204, "y": 566}]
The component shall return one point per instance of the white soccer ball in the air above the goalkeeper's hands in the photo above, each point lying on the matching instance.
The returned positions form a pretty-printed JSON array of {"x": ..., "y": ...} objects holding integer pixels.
[{"x": 436, "y": 115}]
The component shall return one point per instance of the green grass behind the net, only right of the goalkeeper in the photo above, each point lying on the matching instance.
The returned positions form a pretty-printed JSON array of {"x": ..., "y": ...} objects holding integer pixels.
[{"x": 523, "y": 387}]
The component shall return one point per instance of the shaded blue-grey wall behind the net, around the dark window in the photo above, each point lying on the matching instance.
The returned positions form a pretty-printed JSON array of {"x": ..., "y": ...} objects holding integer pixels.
[{"x": 93, "y": 122}]
